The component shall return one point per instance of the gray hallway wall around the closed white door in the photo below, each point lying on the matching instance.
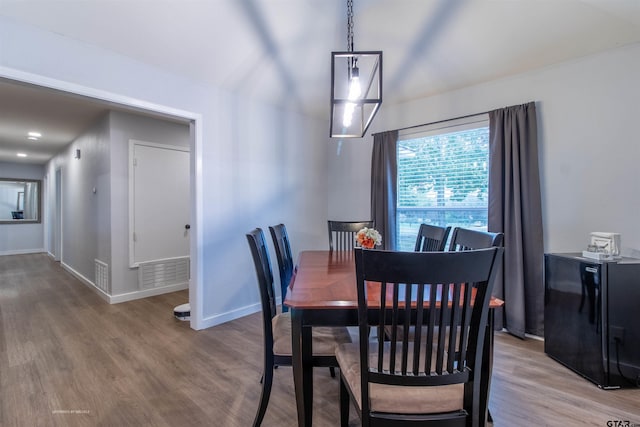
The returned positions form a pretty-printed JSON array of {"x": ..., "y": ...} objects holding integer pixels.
[{"x": 95, "y": 187}]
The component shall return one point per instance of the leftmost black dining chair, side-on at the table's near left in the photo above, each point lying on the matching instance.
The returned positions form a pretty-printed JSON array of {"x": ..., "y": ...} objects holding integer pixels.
[{"x": 277, "y": 327}]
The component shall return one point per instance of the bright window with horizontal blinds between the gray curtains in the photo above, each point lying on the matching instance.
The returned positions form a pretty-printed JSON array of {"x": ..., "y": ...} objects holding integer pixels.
[{"x": 443, "y": 178}]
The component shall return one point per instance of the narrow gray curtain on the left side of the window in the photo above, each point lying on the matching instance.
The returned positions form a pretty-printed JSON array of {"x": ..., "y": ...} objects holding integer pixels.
[{"x": 384, "y": 168}]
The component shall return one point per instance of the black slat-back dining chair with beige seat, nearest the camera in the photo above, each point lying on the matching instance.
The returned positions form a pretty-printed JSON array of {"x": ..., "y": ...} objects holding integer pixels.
[{"x": 434, "y": 380}]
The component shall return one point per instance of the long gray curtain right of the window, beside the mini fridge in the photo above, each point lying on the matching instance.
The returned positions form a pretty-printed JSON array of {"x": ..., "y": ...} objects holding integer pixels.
[{"x": 515, "y": 209}]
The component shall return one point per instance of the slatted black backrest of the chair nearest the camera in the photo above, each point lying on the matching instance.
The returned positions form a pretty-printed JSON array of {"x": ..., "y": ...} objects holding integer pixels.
[{"x": 448, "y": 312}]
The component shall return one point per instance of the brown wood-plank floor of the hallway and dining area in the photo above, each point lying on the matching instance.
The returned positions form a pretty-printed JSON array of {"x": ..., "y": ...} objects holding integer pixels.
[{"x": 67, "y": 358}]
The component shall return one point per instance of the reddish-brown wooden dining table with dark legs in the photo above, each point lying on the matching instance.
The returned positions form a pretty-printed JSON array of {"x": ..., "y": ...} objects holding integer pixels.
[{"x": 323, "y": 292}]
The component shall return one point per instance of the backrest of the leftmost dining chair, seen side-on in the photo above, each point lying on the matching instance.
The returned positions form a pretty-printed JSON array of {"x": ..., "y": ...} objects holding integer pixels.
[{"x": 262, "y": 265}]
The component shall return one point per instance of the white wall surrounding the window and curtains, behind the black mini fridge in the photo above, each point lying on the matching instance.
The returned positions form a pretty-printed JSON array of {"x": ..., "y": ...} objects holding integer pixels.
[{"x": 588, "y": 144}]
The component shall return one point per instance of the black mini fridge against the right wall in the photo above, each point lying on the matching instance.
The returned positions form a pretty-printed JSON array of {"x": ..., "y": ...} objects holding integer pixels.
[{"x": 592, "y": 317}]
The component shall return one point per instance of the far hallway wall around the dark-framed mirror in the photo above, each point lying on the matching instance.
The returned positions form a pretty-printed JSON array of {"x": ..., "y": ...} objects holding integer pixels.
[{"x": 22, "y": 238}]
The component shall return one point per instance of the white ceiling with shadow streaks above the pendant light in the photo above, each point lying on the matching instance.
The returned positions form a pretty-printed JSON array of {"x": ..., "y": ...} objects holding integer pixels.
[{"x": 279, "y": 50}]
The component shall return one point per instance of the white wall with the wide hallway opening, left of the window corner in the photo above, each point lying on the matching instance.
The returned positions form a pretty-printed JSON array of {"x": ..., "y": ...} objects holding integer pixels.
[{"x": 259, "y": 164}]
